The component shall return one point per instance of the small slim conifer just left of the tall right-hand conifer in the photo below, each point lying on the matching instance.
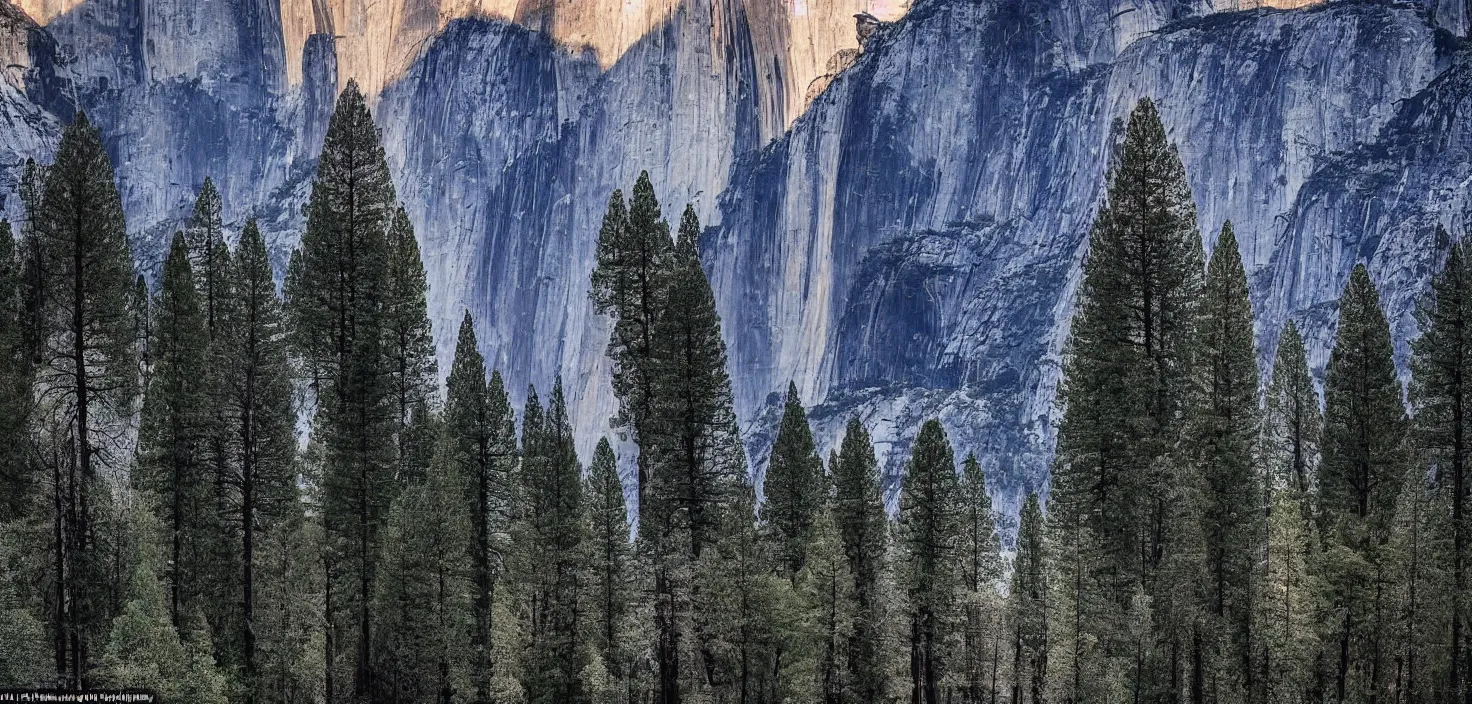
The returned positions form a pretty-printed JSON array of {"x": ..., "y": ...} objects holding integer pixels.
[{"x": 1028, "y": 609}]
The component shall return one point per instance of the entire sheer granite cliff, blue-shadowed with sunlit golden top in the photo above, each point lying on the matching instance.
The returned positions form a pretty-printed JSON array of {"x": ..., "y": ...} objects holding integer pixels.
[{"x": 906, "y": 247}]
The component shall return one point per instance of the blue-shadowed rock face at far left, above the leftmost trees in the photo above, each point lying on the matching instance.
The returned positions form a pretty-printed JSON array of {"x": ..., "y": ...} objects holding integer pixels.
[{"x": 182, "y": 91}]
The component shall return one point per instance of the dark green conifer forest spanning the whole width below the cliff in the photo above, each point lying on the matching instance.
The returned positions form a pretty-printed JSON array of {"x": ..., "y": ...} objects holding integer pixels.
[{"x": 166, "y": 527}]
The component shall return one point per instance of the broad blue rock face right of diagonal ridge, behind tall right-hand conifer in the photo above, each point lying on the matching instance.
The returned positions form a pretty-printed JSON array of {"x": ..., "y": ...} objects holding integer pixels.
[{"x": 912, "y": 251}]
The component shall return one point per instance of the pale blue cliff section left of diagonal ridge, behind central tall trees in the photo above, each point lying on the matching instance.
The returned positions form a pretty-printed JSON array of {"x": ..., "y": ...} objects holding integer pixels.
[{"x": 516, "y": 183}]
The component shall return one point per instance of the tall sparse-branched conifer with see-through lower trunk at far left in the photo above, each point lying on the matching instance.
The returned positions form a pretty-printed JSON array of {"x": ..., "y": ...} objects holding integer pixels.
[{"x": 86, "y": 362}]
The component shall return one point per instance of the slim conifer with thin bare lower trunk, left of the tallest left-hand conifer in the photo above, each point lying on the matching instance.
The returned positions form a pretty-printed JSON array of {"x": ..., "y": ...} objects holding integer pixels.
[{"x": 260, "y": 422}]
